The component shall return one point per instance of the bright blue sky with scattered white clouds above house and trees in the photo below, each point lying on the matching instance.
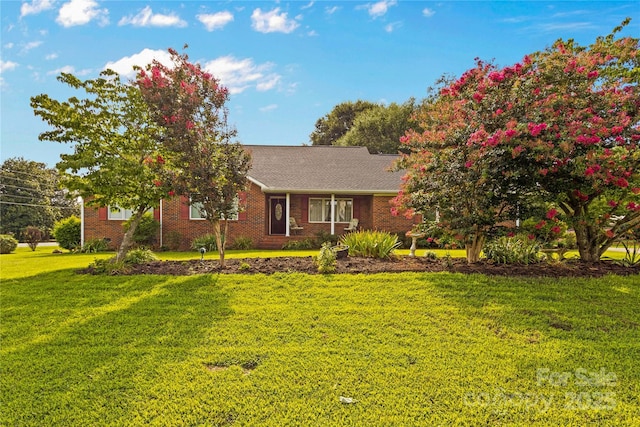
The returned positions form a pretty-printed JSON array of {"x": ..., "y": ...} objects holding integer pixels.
[{"x": 286, "y": 63}]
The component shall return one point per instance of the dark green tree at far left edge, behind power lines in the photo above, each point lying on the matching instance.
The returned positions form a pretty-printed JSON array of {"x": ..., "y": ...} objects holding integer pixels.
[{"x": 30, "y": 196}]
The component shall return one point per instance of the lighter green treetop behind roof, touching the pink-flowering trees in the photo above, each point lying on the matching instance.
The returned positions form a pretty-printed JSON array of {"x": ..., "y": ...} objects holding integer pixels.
[{"x": 380, "y": 128}]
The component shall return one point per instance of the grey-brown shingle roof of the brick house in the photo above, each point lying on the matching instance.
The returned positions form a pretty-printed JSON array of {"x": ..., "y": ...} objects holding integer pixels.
[{"x": 322, "y": 169}]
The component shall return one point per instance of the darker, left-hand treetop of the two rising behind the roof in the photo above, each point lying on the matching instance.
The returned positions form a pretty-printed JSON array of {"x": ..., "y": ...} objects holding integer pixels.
[{"x": 330, "y": 128}]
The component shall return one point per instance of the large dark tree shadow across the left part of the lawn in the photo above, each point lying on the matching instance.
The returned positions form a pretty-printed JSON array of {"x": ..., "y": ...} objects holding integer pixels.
[{"x": 83, "y": 348}]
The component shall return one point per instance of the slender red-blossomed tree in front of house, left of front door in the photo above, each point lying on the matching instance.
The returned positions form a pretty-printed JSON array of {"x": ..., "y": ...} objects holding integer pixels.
[{"x": 188, "y": 104}]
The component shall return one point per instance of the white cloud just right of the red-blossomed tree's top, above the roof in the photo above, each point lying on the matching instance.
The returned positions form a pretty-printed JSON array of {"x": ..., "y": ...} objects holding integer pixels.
[{"x": 240, "y": 74}]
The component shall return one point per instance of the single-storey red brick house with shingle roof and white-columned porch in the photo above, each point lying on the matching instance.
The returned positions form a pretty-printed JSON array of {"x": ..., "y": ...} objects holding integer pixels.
[{"x": 322, "y": 188}]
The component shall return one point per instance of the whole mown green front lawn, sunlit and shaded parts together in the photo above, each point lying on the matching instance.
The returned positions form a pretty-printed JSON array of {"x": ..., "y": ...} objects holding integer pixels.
[{"x": 411, "y": 348}]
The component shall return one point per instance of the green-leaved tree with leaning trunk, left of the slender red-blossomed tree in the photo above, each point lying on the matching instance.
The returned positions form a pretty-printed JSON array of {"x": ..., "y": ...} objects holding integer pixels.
[{"x": 117, "y": 159}]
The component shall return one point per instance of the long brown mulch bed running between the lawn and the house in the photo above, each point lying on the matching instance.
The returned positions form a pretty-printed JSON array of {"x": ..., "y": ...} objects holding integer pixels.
[{"x": 352, "y": 265}]
